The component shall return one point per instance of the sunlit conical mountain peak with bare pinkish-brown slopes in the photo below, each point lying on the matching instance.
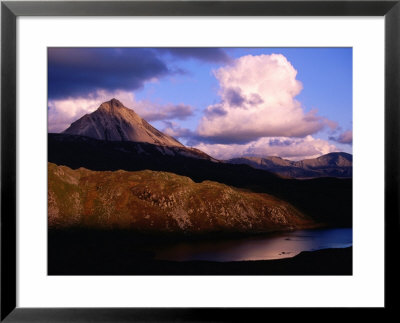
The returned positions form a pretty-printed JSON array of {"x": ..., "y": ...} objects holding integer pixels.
[{"x": 112, "y": 121}]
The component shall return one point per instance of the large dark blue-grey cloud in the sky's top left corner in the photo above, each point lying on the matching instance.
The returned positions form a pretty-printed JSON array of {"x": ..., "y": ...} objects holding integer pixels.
[{"x": 79, "y": 71}]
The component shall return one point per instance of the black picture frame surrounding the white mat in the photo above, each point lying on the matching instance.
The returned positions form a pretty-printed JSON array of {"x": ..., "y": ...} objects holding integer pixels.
[{"x": 10, "y": 10}]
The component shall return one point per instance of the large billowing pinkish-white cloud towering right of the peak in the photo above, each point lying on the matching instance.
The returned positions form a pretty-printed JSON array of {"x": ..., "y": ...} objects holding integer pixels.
[{"x": 258, "y": 100}]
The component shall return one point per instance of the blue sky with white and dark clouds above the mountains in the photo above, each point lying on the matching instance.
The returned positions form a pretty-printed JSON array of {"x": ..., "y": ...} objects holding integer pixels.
[{"x": 295, "y": 103}]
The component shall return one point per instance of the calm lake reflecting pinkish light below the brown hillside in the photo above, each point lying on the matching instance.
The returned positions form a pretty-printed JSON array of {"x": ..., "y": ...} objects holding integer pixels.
[{"x": 271, "y": 246}]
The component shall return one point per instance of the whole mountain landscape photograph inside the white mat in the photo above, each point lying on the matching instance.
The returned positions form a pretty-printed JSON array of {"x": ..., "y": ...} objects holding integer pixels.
[{"x": 200, "y": 161}]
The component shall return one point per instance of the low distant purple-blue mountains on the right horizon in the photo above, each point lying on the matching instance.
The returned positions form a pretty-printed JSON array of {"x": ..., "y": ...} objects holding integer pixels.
[{"x": 330, "y": 165}]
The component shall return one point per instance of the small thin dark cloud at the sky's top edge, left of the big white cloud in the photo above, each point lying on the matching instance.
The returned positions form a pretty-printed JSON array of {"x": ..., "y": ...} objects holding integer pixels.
[{"x": 208, "y": 54}]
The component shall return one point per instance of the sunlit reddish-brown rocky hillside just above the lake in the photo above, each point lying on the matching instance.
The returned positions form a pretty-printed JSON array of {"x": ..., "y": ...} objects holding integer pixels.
[{"x": 151, "y": 201}]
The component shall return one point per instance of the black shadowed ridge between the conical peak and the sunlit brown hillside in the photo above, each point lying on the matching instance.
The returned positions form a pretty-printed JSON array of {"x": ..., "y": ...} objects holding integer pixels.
[{"x": 326, "y": 200}]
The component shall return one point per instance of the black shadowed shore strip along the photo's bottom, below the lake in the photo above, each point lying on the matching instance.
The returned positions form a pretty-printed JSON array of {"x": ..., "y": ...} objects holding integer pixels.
[{"x": 334, "y": 261}]
